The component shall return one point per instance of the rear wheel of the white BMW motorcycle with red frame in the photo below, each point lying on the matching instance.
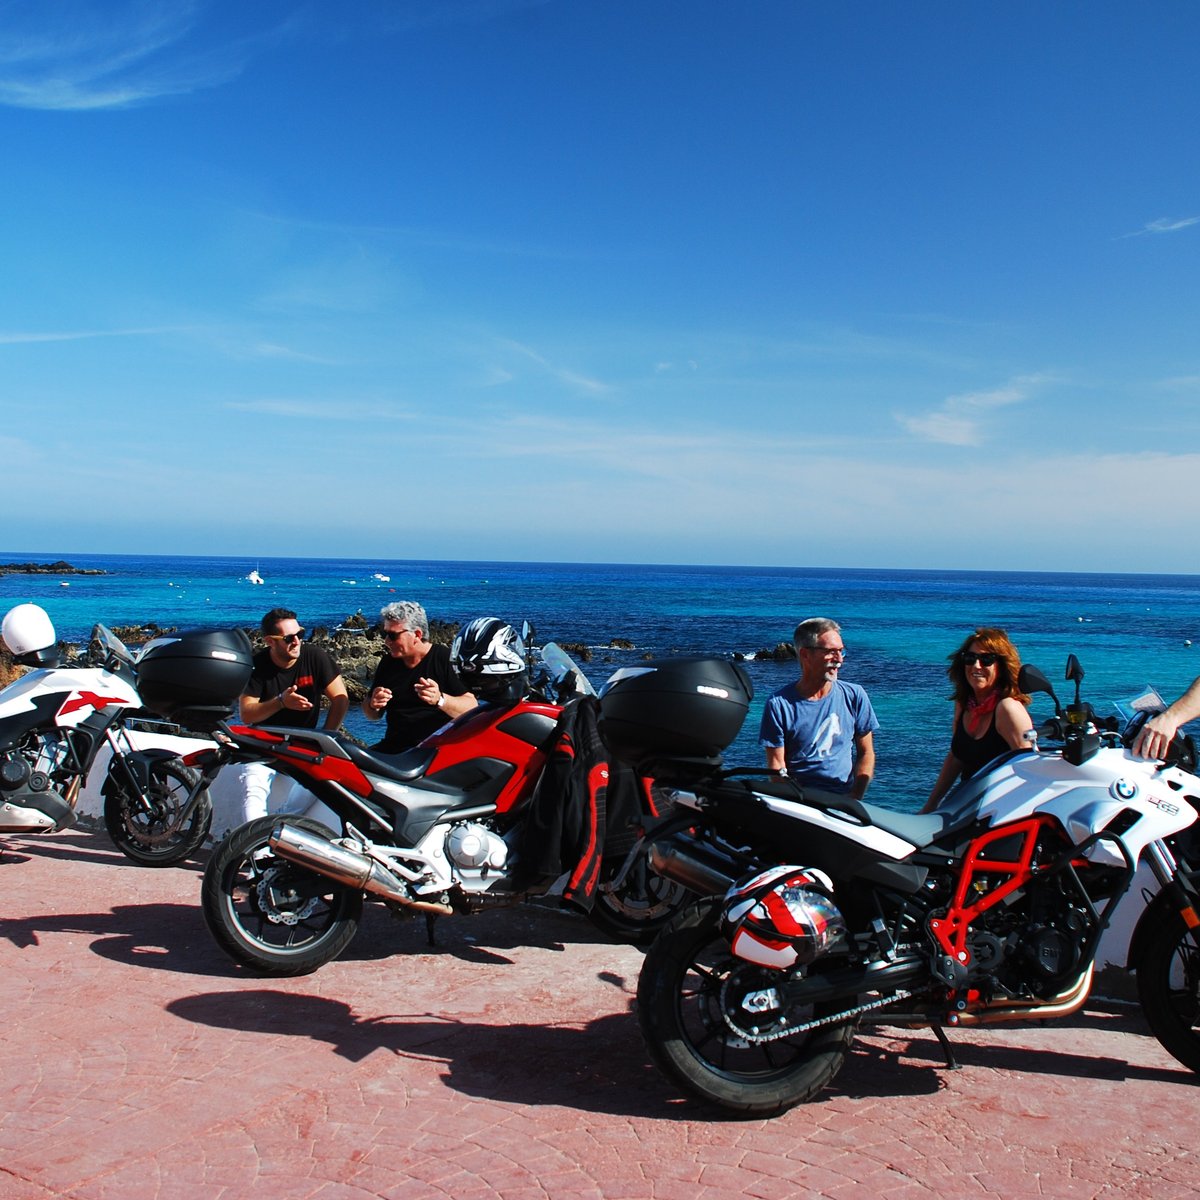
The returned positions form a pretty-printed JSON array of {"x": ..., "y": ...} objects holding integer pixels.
[{"x": 688, "y": 1003}]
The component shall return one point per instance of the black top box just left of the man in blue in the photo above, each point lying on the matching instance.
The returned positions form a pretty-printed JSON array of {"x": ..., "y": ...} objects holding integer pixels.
[{"x": 674, "y": 710}]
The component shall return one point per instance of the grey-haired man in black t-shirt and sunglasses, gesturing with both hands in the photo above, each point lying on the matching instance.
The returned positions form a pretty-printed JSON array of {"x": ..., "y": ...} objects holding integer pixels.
[{"x": 415, "y": 686}]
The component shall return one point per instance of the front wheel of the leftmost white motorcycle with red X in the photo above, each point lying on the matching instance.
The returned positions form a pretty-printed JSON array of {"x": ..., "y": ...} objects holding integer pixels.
[{"x": 163, "y": 836}]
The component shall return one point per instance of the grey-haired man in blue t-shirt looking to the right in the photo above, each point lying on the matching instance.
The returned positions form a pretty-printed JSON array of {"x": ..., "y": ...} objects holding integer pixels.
[{"x": 820, "y": 730}]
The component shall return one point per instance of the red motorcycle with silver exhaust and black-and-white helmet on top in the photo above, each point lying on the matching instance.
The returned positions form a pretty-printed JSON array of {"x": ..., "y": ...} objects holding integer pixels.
[{"x": 435, "y": 831}]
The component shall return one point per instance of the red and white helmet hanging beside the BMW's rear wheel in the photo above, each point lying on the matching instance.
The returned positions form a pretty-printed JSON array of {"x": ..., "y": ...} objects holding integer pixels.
[{"x": 783, "y": 917}]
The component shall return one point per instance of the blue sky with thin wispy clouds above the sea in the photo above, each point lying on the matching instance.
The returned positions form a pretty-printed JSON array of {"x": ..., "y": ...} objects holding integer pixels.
[{"x": 866, "y": 285}]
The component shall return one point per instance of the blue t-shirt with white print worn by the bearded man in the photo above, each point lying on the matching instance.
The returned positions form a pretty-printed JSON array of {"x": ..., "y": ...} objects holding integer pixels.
[{"x": 818, "y": 736}]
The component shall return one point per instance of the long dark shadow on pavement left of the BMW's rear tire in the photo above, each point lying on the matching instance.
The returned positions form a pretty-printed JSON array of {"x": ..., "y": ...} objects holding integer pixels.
[{"x": 598, "y": 1067}]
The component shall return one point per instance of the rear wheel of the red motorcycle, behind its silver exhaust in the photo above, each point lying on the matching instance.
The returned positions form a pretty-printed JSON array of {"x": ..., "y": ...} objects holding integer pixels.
[{"x": 271, "y": 915}]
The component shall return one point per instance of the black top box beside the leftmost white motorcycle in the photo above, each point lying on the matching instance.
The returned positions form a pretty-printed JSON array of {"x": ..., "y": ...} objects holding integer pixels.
[{"x": 199, "y": 669}]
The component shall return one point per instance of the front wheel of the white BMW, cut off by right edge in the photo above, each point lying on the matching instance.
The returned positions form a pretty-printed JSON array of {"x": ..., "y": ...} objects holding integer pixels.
[{"x": 1169, "y": 989}]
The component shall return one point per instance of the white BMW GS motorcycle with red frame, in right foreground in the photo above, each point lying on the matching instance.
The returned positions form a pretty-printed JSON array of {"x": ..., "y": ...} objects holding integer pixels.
[{"x": 821, "y": 913}]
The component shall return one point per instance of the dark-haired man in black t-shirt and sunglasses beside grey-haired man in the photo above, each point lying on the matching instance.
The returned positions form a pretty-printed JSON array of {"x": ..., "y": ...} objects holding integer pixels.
[{"x": 289, "y": 682}]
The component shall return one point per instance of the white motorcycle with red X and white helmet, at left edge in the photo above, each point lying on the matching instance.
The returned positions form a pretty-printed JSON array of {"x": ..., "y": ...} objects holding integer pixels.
[{"x": 55, "y": 721}]
